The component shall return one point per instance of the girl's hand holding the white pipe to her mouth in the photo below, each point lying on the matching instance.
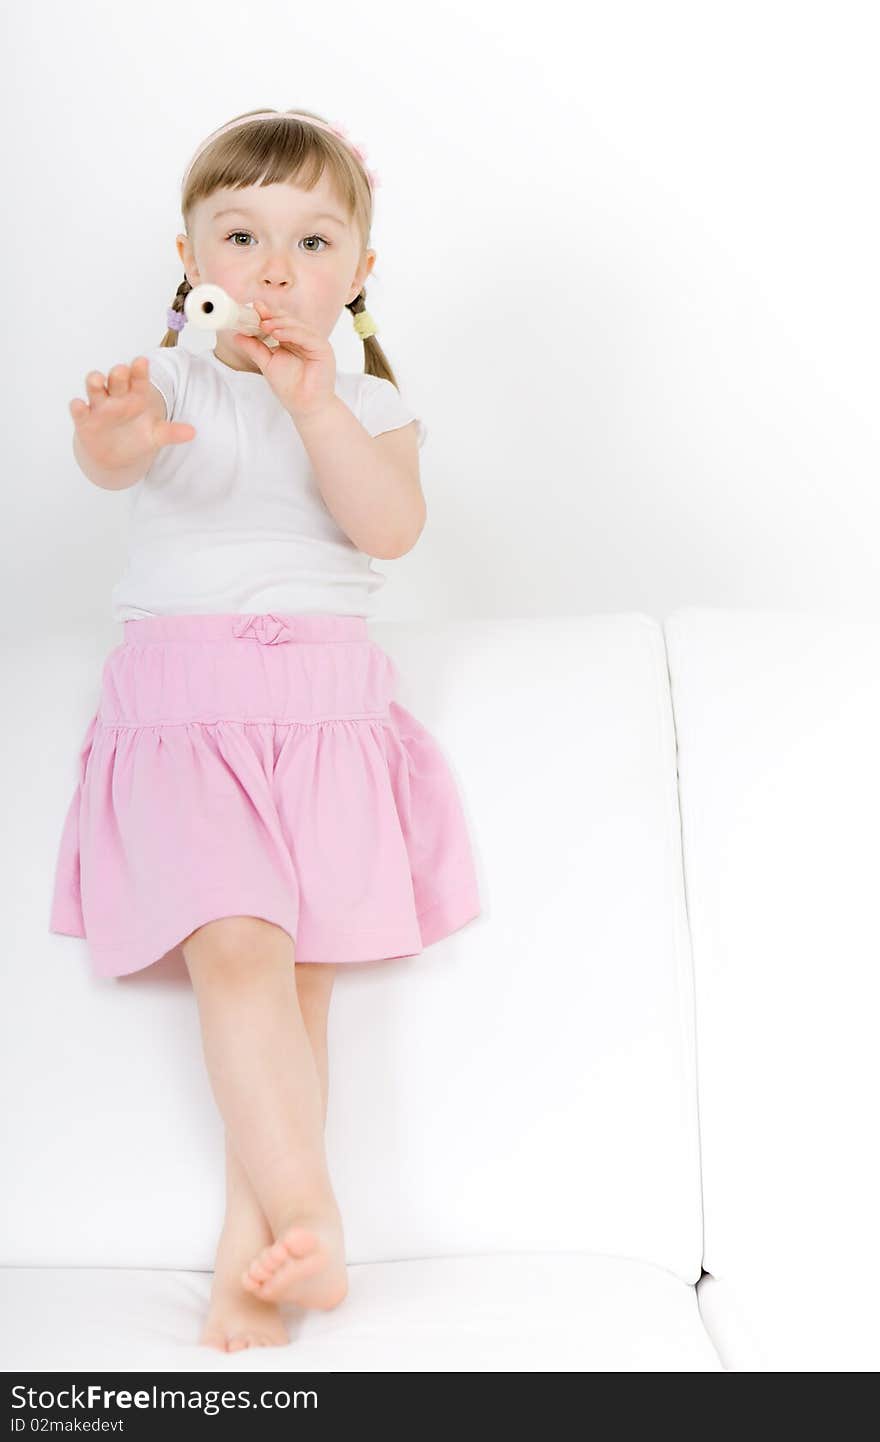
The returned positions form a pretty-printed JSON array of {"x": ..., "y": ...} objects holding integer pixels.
[{"x": 302, "y": 371}]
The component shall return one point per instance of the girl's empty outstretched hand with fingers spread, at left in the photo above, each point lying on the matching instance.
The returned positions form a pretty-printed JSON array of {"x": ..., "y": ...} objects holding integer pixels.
[{"x": 119, "y": 425}]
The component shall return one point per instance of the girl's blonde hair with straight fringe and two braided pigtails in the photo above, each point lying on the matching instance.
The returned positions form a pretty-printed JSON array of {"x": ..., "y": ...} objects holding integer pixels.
[{"x": 288, "y": 151}]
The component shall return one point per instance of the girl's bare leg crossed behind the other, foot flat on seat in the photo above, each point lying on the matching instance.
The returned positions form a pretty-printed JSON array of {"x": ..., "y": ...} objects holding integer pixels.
[{"x": 236, "y": 1317}]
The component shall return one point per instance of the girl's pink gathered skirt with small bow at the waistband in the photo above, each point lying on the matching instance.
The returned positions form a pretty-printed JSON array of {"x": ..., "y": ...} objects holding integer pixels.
[{"x": 259, "y": 766}]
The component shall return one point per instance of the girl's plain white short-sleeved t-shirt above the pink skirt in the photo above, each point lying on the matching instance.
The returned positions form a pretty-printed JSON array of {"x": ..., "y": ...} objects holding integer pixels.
[{"x": 233, "y": 523}]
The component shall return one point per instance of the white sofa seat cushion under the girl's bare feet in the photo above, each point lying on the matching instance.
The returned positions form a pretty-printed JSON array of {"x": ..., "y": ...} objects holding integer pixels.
[{"x": 527, "y": 1313}]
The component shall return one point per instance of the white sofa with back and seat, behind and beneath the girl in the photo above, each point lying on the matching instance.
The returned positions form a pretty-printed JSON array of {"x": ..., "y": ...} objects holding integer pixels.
[{"x": 679, "y": 840}]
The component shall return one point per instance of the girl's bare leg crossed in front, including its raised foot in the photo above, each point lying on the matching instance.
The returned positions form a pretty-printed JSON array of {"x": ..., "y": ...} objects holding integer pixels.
[{"x": 268, "y": 1087}]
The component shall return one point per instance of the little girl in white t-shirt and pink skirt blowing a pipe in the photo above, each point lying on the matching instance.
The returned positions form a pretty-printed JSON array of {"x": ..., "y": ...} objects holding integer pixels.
[{"x": 249, "y": 791}]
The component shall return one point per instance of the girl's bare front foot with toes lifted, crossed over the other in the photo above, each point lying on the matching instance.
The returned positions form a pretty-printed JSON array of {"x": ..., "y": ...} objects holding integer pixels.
[{"x": 307, "y": 1265}]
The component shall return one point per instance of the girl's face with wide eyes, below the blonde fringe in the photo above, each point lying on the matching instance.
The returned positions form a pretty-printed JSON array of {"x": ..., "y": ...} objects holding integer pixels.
[{"x": 292, "y": 249}]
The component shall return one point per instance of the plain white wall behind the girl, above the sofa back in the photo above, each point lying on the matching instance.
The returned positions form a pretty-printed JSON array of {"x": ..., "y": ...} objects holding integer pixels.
[{"x": 627, "y": 275}]
